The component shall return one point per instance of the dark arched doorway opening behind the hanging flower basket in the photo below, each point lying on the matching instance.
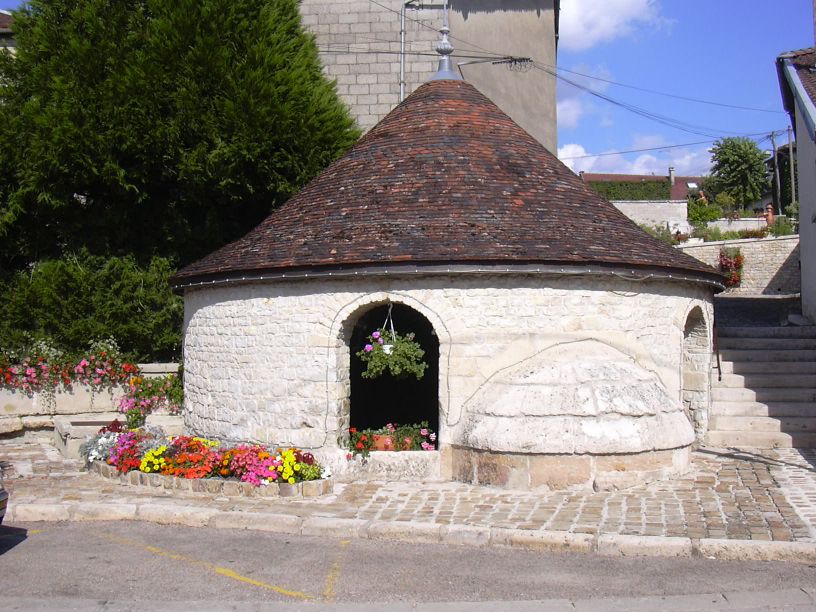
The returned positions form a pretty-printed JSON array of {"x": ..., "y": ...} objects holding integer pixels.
[{"x": 376, "y": 402}]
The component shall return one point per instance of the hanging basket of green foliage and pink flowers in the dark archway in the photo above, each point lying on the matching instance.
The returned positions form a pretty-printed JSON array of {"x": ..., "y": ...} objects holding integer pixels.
[{"x": 396, "y": 354}]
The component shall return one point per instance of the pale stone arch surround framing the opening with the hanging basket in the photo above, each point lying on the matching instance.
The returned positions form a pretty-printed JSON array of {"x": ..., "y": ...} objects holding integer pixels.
[{"x": 342, "y": 330}]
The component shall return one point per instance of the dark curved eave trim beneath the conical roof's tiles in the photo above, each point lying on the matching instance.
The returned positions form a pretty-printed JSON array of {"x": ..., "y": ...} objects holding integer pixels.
[{"x": 625, "y": 272}]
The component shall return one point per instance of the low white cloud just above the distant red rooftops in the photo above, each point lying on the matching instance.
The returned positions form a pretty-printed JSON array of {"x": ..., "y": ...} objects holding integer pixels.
[{"x": 692, "y": 161}]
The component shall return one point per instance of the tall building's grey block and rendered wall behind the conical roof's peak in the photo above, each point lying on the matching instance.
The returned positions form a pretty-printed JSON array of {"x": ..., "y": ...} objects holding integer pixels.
[{"x": 359, "y": 44}]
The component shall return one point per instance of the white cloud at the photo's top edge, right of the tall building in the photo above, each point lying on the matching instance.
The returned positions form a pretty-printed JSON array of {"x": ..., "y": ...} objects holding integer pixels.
[{"x": 587, "y": 23}]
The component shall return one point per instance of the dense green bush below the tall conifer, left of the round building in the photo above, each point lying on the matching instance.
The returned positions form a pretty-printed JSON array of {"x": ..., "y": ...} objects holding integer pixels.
[{"x": 76, "y": 299}]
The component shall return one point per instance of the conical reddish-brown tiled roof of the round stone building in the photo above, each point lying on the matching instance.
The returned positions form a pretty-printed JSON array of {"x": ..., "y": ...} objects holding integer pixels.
[{"x": 445, "y": 178}]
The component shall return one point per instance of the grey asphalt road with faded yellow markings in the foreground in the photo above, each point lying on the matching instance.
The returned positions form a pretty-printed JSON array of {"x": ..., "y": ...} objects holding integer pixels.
[{"x": 55, "y": 565}]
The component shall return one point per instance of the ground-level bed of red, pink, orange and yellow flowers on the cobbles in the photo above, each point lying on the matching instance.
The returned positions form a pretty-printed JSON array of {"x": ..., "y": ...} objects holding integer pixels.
[{"x": 137, "y": 455}]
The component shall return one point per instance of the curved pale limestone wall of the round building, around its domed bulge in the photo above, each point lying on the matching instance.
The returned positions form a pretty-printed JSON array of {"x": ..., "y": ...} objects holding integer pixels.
[{"x": 269, "y": 362}]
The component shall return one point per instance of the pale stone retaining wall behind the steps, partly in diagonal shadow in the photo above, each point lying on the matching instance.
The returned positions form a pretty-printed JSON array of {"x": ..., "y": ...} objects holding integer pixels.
[{"x": 771, "y": 265}]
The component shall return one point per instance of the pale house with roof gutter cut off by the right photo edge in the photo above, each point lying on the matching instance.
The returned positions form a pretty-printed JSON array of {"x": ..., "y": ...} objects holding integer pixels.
[{"x": 797, "y": 82}]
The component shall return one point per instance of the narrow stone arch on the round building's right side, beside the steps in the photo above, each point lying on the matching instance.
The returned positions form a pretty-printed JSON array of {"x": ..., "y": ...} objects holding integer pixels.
[{"x": 696, "y": 370}]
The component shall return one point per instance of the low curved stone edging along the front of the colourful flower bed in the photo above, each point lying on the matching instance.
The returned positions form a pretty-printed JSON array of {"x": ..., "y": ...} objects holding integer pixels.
[{"x": 216, "y": 486}]
